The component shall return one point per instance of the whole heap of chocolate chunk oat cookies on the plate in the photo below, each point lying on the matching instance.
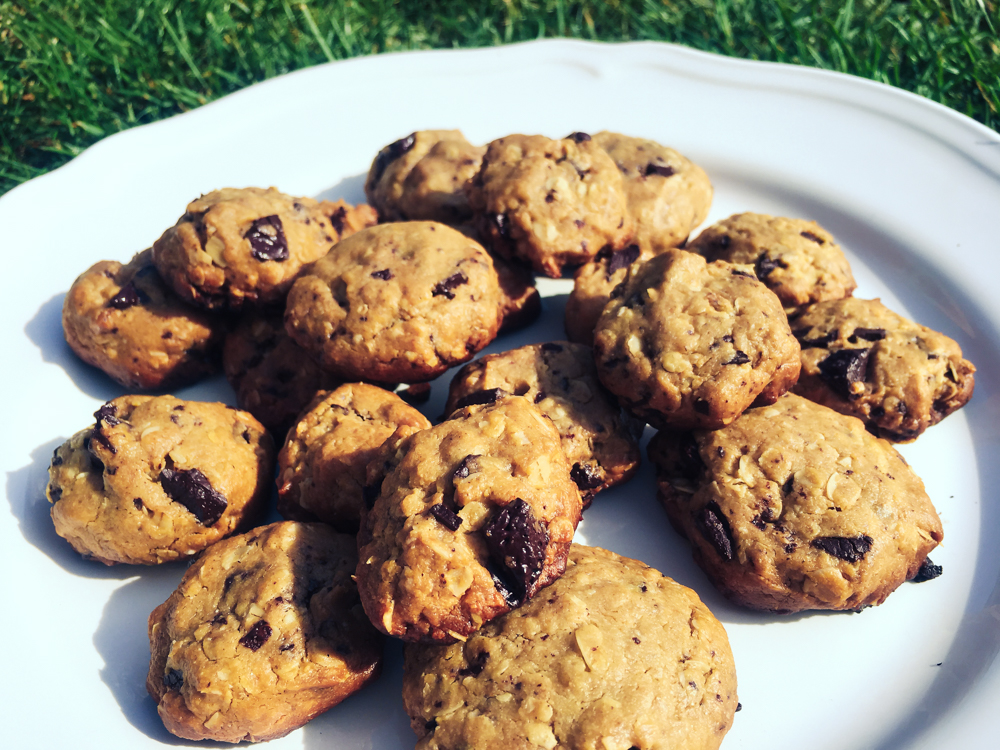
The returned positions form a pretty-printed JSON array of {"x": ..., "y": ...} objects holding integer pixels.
[{"x": 775, "y": 394}]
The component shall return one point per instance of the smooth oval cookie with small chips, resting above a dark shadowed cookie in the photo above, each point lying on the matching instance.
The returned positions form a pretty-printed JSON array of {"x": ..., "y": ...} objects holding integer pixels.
[{"x": 396, "y": 302}]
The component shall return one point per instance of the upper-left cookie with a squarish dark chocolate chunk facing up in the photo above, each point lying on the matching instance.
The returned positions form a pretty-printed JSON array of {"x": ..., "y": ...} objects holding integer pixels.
[{"x": 234, "y": 245}]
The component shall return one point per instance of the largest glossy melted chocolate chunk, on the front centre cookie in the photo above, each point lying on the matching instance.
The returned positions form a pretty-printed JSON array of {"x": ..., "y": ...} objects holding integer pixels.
[{"x": 516, "y": 542}]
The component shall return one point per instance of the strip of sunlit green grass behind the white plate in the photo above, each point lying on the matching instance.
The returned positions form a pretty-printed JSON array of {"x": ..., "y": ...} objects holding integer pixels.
[{"x": 74, "y": 71}]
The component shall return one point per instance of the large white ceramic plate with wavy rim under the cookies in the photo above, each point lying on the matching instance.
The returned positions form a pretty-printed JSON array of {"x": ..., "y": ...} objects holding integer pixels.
[{"x": 910, "y": 188}]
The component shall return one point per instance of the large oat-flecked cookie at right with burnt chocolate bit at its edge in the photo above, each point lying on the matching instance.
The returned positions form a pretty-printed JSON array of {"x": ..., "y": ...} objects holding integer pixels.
[{"x": 794, "y": 507}]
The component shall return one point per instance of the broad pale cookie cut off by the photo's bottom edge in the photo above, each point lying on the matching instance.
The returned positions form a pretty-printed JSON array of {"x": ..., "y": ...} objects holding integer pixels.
[{"x": 614, "y": 655}]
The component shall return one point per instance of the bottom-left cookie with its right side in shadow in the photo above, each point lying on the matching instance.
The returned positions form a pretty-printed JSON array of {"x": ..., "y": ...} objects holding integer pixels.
[{"x": 263, "y": 633}]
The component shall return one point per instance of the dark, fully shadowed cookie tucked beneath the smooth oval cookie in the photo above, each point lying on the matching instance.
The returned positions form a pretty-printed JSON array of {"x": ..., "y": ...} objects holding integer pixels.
[{"x": 274, "y": 378}]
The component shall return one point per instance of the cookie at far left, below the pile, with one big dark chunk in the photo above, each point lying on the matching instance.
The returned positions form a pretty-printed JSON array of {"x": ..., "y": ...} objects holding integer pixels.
[{"x": 158, "y": 479}]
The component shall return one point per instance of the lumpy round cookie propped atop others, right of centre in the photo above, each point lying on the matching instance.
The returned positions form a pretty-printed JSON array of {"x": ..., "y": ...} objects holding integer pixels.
[{"x": 689, "y": 344}]
